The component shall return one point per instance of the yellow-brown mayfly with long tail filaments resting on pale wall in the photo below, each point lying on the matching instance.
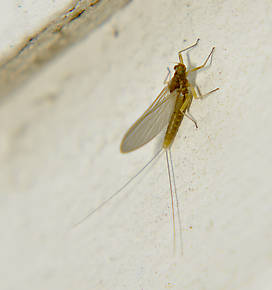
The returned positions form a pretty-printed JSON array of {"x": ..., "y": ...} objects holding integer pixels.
[{"x": 169, "y": 108}]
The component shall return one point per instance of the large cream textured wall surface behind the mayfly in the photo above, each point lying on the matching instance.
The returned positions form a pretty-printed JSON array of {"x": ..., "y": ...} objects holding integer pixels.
[{"x": 59, "y": 157}]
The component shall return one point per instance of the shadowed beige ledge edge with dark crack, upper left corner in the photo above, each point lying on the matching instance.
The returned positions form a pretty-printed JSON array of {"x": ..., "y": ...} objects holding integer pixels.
[{"x": 68, "y": 28}]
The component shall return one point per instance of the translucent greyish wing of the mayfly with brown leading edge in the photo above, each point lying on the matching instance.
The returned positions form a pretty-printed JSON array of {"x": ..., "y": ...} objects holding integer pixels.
[{"x": 149, "y": 125}]
